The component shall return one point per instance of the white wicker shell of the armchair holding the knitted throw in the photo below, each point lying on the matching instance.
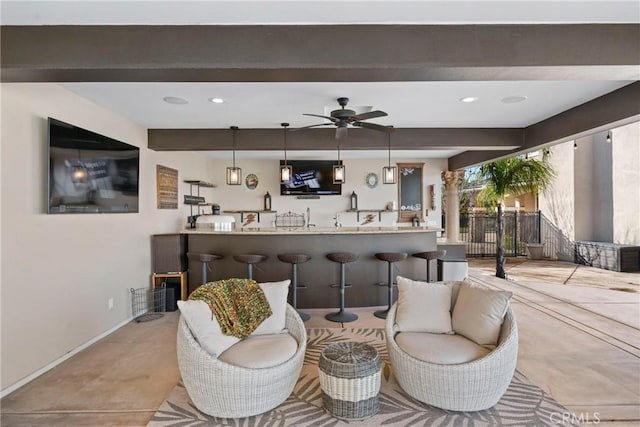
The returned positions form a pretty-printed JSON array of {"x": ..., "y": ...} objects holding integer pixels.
[{"x": 227, "y": 391}]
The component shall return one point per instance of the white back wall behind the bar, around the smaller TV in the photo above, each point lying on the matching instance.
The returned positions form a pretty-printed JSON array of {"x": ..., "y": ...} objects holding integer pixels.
[{"x": 323, "y": 210}]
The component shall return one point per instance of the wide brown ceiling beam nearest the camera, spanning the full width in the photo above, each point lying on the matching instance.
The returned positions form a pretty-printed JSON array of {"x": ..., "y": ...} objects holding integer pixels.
[{"x": 295, "y": 53}]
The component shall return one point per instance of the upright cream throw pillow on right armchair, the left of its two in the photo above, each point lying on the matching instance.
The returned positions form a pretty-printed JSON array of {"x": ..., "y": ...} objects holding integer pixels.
[{"x": 423, "y": 307}]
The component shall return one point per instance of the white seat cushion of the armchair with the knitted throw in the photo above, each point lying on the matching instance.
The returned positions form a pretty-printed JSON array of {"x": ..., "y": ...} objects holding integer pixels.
[{"x": 261, "y": 351}]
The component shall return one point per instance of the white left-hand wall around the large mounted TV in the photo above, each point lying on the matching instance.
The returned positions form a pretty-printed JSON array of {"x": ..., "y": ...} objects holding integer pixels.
[{"x": 58, "y": 271}]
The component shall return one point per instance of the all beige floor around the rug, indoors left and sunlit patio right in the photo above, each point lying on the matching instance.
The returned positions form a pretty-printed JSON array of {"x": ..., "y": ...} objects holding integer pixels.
[{"x": 579, "y": 342}]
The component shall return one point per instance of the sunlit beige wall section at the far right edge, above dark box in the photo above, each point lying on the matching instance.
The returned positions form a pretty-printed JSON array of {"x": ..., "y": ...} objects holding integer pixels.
[{"x": 626, "y": 184}]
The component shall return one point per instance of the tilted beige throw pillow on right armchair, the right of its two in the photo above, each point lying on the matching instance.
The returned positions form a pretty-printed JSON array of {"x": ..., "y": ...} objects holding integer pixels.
[{"x": 479, "y": 313}]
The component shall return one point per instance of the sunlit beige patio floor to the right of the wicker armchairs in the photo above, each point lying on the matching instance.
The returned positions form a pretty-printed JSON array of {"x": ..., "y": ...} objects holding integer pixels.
[{"x": 579, "y": 330}]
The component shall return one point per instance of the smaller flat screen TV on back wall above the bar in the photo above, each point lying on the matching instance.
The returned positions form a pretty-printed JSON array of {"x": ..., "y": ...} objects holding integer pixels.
[{"x": 311, "y": 177}]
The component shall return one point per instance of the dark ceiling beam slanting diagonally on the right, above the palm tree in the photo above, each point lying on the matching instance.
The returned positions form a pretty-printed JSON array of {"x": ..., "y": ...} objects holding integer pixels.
[{"x": 611, "y": 110}]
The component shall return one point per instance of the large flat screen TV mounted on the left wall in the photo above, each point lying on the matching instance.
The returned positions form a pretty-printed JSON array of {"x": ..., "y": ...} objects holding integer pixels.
[{"x": 90, "y": 173}]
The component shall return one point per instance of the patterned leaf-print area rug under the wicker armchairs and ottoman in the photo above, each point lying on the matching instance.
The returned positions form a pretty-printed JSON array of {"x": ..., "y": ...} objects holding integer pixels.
[{"x": 524, "y": 404}]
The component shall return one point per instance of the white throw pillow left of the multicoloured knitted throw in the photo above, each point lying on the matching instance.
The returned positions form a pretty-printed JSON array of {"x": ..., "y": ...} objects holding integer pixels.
[{"x": 205, "y": 327}]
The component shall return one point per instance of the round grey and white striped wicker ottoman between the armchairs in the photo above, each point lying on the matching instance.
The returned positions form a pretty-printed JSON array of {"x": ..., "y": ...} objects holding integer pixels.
[{"x": 350, "y": 380}]
